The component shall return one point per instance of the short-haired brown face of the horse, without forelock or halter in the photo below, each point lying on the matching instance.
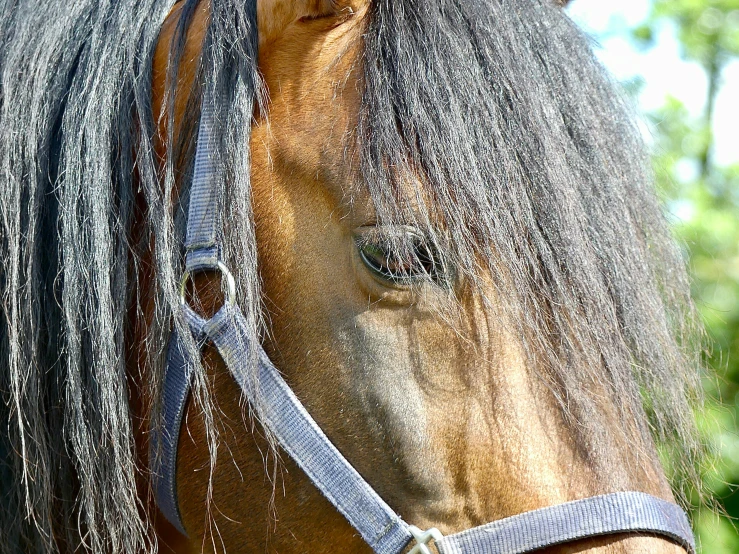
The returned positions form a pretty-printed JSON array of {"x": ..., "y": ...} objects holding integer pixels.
[{"x": 412, "y": 376}]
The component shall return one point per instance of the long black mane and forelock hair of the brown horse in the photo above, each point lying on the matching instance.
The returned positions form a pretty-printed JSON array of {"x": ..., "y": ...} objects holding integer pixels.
[{"x": 529, "y": 159}]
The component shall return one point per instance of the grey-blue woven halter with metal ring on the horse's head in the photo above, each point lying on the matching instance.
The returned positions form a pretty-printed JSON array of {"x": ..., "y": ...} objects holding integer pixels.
[{"x": 299, "y": 435}]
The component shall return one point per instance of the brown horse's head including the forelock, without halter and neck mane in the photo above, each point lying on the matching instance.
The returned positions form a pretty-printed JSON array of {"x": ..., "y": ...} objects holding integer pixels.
[{"x": 391, "y": 314}]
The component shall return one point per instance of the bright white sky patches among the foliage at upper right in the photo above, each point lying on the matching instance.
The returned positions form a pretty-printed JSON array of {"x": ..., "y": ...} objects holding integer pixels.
[{"x": 663, "y": 71}]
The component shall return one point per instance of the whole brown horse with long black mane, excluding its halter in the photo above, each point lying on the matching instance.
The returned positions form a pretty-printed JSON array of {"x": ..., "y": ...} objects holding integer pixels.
[{"x": 442, "y": 229}]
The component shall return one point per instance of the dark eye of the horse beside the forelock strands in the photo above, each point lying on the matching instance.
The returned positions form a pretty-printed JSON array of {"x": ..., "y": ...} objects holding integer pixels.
[{"x": 400, "y": 261}]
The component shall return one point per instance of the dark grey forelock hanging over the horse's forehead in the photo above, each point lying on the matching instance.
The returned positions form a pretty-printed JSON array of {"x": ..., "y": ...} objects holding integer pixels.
[{"x": 534, "y": 166}]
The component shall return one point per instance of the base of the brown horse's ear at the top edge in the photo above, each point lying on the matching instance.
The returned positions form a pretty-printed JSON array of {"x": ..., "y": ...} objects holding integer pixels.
[{"x": 273, "y": 16}]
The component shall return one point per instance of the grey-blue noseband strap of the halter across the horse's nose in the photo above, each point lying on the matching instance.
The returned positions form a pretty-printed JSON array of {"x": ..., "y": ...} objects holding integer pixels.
[{"x": 608, "y": 514}]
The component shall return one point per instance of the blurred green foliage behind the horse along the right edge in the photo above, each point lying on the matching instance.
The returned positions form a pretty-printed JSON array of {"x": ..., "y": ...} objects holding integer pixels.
[{"x": 703, "y": 199}]
